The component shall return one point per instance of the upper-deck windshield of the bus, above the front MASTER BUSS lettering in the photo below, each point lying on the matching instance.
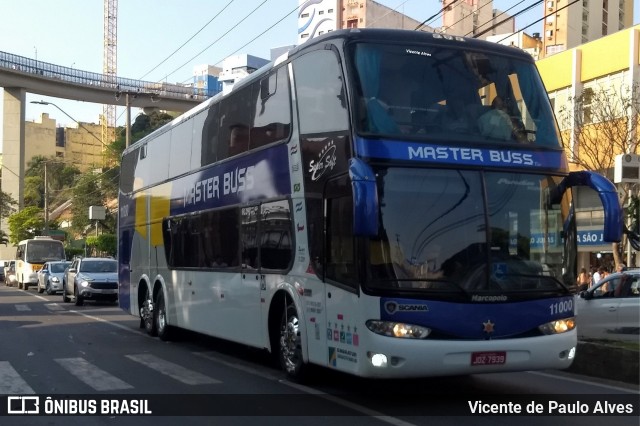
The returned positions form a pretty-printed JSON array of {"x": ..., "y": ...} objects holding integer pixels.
[{"x": 450, "y": 95}]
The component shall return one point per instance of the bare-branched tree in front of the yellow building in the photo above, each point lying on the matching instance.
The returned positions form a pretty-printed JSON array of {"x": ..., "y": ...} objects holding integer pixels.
[{"x": 606, "y": 122}]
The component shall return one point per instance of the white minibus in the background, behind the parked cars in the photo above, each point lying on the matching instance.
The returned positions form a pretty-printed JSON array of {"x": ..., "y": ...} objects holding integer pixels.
[{"x": 32, "y": 254}]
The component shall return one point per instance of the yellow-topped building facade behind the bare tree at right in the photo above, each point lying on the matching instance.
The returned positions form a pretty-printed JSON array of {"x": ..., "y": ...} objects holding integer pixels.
[{"x": 611, "y": 63}]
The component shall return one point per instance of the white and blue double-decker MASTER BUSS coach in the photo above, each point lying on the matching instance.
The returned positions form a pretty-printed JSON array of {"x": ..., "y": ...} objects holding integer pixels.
[{"x": 384, "y": 203}]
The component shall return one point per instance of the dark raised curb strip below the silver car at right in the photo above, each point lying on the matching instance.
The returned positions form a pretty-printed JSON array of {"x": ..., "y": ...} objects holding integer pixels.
[{"x": 607, "y": 362}]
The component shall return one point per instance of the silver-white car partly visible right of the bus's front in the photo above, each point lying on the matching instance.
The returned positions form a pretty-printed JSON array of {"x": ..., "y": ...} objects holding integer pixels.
[{"x": 611, "y": 309}]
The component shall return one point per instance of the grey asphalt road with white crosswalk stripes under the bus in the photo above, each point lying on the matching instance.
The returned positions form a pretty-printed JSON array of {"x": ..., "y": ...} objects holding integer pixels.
[{"x": 94, "y": 352}]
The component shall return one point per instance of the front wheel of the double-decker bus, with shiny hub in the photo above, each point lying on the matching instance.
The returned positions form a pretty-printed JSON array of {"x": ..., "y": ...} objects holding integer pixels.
[{"x": 290, "y": 346}]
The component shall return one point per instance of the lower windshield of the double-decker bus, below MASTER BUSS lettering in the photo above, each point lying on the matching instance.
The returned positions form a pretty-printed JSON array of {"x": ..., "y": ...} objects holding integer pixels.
[{"x": 470, "y": 232}]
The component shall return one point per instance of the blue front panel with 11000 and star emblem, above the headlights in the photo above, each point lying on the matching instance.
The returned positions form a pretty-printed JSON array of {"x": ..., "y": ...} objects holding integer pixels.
[{"x": 475, "y": 320}]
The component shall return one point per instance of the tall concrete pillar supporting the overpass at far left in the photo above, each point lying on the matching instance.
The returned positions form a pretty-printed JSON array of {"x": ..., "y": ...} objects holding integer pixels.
[{"x": 13, "y": 143}]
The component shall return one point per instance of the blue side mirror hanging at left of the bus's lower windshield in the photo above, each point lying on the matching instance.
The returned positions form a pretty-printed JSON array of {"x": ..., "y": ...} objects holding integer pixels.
[{"x": 365, "y": 199}]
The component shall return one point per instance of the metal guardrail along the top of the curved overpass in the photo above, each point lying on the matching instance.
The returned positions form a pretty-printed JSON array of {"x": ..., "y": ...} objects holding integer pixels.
[{"x": 31, "y": 66}]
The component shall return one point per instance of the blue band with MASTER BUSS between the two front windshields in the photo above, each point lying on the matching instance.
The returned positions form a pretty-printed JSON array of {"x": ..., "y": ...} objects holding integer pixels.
[{"x": 445, "y": 154}]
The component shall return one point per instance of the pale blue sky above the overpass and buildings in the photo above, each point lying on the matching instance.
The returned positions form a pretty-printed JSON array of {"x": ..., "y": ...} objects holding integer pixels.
[{"x": 70, "y": 33}]
